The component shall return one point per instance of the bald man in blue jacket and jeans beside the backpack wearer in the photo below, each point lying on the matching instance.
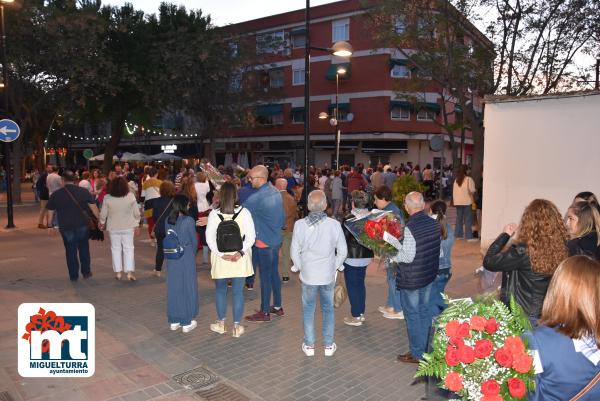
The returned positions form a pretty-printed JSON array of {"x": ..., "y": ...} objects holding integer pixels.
[{"x": 266, "y": 207}]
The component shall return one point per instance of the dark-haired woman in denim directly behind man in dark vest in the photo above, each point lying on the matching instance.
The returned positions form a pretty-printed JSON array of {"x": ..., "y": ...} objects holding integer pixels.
[{"x": 438, "y": 212}]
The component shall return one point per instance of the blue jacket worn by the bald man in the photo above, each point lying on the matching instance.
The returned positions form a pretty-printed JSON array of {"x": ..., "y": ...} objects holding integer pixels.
[{"x": 266, "y": 207}]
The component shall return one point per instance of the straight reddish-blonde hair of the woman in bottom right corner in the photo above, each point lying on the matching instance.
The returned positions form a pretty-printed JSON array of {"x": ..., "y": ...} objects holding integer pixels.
[{"x": 572, "y": 303}]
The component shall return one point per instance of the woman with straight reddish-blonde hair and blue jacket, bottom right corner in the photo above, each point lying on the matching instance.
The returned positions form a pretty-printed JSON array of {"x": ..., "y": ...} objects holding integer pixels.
[{"x": 566, "y": 344}]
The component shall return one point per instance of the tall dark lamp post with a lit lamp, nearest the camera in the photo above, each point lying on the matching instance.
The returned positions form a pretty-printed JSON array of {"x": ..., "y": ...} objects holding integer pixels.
[{"x": 342, "y": 49}]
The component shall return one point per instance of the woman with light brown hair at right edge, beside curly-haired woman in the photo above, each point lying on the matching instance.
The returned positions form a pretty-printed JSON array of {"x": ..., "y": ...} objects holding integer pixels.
[{"x": 583, "y": 224}]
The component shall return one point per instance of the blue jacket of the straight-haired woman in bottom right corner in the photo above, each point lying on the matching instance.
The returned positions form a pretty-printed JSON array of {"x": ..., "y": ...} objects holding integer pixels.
[{"x": 566, "y": 371}]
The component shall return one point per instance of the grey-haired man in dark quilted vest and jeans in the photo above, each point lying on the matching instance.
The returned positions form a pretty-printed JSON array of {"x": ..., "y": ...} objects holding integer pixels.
[{"x": 418, "y": 263}]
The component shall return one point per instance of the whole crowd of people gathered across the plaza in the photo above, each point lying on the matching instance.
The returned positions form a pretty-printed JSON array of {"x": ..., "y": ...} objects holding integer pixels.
[{"x": 246, "y": 223}]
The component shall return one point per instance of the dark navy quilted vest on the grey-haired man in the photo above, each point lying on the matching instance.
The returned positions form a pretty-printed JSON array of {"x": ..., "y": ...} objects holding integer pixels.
[{"x": 424, "y": 268}]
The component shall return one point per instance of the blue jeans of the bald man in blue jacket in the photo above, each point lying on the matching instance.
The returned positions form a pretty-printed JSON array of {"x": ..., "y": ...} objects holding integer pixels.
[{"x": 270, "y": 282}]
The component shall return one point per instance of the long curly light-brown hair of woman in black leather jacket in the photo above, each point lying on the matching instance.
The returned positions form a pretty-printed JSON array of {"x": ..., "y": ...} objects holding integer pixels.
[{"x": 543, "y": 231}]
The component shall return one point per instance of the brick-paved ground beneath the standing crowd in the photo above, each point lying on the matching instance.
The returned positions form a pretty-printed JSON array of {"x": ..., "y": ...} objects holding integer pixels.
[{"x": 139, "y": 358}]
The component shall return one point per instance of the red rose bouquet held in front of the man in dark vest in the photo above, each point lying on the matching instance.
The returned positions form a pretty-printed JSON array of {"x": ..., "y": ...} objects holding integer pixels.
[{"x": 377, "y": 230}]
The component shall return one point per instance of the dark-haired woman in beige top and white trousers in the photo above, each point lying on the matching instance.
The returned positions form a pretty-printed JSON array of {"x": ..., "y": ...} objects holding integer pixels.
[{"x": 120, "y": 215}]
